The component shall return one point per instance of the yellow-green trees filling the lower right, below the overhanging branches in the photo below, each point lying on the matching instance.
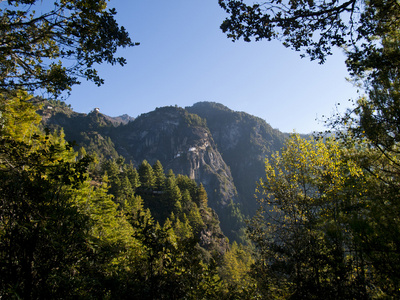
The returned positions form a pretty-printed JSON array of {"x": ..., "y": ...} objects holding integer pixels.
[{"x": 327, "y": 224}]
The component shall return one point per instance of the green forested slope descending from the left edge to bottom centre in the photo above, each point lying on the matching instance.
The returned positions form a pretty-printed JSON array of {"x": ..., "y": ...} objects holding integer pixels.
[{"x": 71, "y": 227}]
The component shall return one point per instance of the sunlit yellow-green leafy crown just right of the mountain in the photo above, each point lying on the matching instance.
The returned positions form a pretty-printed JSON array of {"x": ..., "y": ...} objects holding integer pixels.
[{"x": 308, "y": 170}]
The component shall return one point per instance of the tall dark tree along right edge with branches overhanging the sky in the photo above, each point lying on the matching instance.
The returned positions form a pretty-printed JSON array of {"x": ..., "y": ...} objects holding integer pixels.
[{"x": 368, "y": 31}]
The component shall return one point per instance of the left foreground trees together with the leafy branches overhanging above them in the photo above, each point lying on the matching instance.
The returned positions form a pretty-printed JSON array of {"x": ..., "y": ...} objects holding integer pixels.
[{"x": 55, "y": 229}]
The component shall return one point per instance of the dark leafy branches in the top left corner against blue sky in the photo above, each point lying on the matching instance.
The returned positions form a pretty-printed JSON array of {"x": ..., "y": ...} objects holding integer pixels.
[{"x": 37, "y": 45}]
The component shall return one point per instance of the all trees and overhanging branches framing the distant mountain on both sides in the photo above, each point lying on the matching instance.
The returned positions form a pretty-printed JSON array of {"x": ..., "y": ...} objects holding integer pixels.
[{"x": 74, "y": 225}]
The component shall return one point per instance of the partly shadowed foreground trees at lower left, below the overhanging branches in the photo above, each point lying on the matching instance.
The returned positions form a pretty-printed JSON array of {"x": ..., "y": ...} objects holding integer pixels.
[{"x": 60, "y": 237}]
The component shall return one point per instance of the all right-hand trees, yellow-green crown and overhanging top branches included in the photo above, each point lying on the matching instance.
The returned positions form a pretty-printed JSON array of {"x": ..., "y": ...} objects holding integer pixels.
[{"x": 328, "y": 223}]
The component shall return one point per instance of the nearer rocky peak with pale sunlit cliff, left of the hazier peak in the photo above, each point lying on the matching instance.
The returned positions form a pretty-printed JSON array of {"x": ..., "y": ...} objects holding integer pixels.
[{"x": 183, "y": 143}]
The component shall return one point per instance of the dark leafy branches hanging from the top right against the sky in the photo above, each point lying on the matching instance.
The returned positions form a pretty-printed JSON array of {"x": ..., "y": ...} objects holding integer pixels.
[{"x": 313, "y": 27}]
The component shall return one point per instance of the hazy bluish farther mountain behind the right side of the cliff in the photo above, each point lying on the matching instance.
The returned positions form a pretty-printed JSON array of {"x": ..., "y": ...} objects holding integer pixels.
[{"x": 244, "y": 141}]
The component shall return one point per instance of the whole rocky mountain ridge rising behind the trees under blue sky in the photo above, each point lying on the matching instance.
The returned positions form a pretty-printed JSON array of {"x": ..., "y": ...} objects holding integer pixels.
[{"x": 222, "y": 149}]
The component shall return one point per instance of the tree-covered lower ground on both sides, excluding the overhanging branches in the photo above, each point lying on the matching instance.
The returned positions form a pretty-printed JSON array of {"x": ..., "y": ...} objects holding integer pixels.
[{"x": 74, "y": 227}]
